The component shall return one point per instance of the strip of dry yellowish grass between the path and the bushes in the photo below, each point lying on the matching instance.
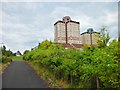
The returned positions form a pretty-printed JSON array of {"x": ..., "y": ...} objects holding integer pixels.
[{"x": 48, "y": 77}]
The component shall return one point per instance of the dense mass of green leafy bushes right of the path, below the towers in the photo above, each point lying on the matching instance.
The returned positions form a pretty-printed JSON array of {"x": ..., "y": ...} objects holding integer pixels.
[{"x": 93, "y": 67}]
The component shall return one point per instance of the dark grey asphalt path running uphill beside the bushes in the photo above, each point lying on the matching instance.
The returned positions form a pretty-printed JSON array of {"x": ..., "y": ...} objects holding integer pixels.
[{"x": 20, "y": 75}]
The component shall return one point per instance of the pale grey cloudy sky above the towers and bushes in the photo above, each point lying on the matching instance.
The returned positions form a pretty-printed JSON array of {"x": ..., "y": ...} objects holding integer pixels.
[{"x": 25, "y": 24}]
